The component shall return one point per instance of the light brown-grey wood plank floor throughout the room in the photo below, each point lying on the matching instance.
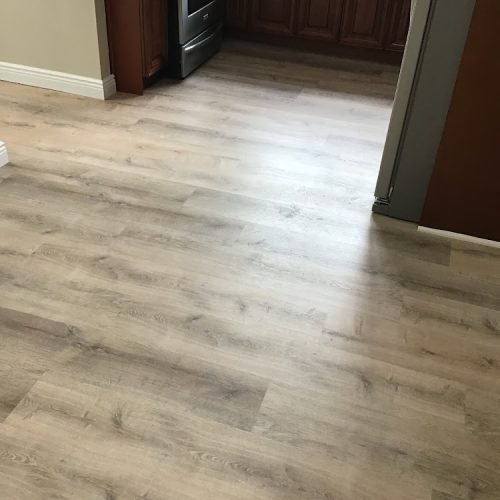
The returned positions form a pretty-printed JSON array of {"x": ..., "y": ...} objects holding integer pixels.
[{"x": 196, "y": 302}]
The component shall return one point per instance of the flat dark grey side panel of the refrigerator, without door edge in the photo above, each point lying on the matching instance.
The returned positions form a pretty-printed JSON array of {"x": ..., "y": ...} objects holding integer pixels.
[{"x": 442, "y": 50}]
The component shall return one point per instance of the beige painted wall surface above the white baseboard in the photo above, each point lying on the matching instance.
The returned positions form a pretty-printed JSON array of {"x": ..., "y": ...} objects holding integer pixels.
[{"x": 59, "y": 35}]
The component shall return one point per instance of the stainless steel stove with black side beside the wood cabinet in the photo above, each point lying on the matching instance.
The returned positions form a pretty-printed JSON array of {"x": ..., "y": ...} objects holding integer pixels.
[{"x": 195, "y": 33}]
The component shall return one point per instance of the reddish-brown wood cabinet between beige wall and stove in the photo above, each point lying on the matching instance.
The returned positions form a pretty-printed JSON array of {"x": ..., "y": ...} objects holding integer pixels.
[{"x": 137, "y": 34}]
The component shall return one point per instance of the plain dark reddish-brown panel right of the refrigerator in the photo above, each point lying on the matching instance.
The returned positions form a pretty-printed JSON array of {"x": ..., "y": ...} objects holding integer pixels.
[{"x": 464, "y": 193}]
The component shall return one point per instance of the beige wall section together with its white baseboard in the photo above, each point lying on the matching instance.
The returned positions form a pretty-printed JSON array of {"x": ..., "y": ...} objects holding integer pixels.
[{"x": 64, "y": 47}]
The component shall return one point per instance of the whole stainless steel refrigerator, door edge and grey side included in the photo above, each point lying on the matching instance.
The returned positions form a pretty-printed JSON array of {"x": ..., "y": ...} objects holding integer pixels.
[{"x": 436, "y": 41}]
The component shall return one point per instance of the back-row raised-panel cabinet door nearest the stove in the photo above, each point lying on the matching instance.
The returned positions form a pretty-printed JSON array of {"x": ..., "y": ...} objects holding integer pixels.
[{"x": 273, "y": 16}]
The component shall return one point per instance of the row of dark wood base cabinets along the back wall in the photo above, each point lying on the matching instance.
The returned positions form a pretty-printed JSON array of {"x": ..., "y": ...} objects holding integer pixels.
[{"x": 374, "y": 29}]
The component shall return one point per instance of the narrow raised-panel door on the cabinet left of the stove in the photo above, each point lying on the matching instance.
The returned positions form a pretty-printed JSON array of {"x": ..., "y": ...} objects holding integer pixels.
[{"x": 154, "y": 22}]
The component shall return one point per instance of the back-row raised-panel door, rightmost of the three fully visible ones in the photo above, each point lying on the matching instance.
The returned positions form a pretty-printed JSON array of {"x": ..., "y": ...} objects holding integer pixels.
[{"x": 365, "y": 23}]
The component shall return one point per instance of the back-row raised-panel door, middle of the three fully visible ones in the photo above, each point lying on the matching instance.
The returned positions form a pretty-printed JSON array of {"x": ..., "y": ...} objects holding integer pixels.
[{"x": 319, "y": 19}]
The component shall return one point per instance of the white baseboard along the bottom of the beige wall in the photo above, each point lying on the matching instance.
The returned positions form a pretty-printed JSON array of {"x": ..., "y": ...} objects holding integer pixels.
[{"x": 54, "y": 80}]
